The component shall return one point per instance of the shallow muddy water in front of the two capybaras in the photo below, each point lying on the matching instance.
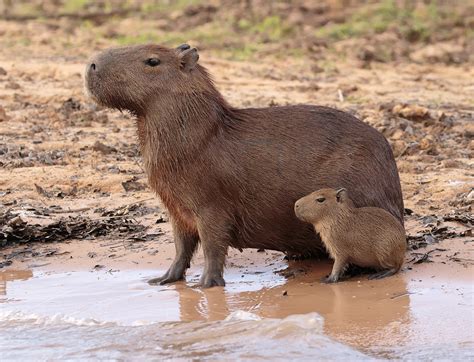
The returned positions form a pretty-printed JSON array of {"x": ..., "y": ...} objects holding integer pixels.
[{"x": 48, "y": 312}]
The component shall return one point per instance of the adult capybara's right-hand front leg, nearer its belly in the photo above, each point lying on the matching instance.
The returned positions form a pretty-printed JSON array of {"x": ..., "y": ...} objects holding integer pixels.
[{"x": 214, "y": 241}]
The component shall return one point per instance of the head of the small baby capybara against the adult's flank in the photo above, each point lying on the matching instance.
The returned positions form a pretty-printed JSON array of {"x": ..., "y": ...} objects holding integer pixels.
[{"x": 319, "y": 204}]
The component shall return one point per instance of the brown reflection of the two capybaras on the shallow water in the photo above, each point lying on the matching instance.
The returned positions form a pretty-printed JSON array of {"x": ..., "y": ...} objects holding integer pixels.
[{"x": 358, "y": 312}]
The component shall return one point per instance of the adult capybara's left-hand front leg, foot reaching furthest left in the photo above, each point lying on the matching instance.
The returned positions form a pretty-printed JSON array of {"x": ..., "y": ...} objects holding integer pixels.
[{"x": 185, "y": 244}]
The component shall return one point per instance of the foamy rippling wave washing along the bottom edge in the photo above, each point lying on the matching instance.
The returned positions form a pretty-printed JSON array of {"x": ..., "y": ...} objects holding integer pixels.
[{"x": 242, "y": 335}]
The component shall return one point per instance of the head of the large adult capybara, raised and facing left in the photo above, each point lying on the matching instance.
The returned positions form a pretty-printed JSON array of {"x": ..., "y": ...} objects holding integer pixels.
[{"x": 133, "y": 77}]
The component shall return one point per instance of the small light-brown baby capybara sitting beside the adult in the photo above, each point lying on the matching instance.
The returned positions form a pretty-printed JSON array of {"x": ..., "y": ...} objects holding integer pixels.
[{"x": 364, "y": 236}]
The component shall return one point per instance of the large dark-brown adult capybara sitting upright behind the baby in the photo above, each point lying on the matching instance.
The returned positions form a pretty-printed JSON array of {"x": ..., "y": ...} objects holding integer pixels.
[{"x": 228, "y": 176}]
